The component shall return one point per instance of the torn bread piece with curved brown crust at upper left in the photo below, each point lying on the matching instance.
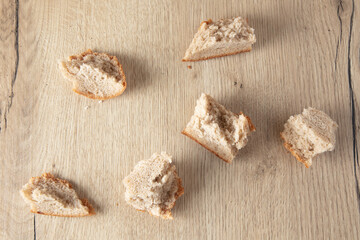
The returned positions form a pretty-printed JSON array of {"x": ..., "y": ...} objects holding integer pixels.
[{"x": 95, "y": 75}]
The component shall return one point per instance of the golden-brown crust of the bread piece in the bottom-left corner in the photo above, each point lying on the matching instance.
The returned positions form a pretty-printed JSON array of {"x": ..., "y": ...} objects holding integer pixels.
[{"x": 50, "y": 177}]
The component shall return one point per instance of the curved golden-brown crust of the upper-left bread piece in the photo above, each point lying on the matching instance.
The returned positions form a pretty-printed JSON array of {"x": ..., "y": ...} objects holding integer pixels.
[{"x": 114, "y": 58}]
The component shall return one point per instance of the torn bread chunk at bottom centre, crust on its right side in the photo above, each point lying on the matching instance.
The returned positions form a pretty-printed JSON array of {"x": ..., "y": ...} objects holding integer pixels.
[{"x": 154, "y": 186}]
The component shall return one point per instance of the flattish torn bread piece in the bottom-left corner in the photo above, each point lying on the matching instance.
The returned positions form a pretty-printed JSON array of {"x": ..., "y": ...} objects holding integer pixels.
[{"x": 53, "y": 196}]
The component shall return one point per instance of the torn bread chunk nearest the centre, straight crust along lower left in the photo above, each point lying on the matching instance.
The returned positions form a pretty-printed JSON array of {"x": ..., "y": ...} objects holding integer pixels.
[{"x": 217, "y": 129}]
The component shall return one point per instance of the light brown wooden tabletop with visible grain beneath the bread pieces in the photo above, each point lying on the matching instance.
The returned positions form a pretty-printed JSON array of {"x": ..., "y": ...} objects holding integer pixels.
[{"x": 306, "y": 54}]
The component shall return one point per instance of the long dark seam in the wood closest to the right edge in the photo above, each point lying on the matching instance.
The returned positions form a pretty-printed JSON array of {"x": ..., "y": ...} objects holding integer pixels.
[{"x": 353, "y": 112}]
